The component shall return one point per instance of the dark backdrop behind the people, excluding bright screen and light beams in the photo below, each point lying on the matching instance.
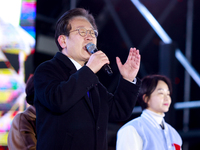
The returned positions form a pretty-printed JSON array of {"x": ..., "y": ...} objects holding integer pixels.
[{"x": 121, "y": 26}]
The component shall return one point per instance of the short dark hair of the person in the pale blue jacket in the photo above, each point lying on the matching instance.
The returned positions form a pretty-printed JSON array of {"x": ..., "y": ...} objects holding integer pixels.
[{"x": 149, "y": 84}]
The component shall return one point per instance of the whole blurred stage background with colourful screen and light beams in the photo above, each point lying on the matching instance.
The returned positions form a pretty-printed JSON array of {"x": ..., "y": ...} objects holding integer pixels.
[{"x": 165, "y": 31}]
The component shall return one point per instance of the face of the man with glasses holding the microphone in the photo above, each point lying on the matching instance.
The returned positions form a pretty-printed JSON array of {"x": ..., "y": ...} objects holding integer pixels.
[{"x": 75, "y": 43}]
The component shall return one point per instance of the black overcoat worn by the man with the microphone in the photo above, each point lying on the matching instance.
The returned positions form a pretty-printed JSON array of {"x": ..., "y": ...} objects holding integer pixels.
[{"x": 66, "y": 118}]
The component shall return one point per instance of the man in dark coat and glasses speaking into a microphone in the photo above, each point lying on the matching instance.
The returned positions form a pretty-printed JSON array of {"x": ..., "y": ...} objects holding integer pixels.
[{"x": 72, "y": 107}]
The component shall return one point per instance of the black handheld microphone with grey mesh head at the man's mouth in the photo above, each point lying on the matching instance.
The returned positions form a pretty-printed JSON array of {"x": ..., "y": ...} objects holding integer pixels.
[{"x": 91, "y": 48}]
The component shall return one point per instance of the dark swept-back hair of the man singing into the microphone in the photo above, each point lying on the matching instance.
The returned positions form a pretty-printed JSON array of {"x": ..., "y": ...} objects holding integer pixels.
[{"x": 63, "y": 27}]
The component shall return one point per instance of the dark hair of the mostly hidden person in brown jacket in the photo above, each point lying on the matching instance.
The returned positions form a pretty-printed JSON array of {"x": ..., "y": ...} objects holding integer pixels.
[{"x": 30, "y": 90}]
